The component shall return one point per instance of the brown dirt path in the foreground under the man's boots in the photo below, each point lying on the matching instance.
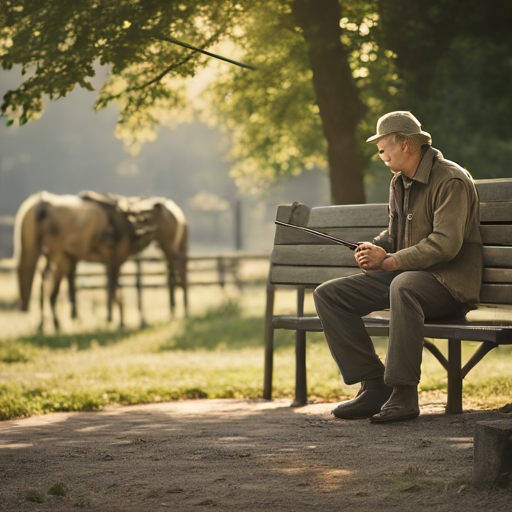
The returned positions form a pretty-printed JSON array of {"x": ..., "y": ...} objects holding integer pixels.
[{"x": 242, "y": 455}]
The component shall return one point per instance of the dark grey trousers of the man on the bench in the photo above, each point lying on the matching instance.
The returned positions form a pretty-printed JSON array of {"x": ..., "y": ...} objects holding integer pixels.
[{"x": 410, "y": 296}]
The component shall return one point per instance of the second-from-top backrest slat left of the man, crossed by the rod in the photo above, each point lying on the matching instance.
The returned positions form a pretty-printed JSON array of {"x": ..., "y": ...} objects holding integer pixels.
[{"x": 289, "y": 236}]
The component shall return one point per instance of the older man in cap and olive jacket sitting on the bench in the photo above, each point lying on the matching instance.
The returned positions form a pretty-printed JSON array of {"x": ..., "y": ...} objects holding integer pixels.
[{"x": 432, "y": 269}]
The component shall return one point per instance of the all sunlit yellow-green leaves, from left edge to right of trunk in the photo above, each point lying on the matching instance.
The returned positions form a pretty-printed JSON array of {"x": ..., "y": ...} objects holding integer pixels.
[{"x": 272, "y": 113}]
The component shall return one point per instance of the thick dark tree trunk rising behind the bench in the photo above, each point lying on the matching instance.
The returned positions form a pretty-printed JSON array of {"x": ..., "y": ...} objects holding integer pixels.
[{"x": 341, "y": 109}]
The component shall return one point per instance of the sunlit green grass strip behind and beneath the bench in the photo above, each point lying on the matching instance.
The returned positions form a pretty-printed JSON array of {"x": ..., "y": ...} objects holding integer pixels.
[{"x": 218, "y": 354}]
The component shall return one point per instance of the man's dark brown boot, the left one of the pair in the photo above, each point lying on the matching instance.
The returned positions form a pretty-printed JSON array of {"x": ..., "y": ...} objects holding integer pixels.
[{"x": 368, "y": 401}]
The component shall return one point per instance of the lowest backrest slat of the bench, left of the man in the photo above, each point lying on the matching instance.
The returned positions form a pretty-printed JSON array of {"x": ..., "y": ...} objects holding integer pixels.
[{"x": 309, "y": 275}]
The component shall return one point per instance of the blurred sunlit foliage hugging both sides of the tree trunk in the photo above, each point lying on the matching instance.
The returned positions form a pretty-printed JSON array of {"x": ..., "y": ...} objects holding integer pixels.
[{"x": 272, "y": 115}]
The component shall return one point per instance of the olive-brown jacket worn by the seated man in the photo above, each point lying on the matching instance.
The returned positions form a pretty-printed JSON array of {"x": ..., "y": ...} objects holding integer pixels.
[{"x": 434, "y": 225}]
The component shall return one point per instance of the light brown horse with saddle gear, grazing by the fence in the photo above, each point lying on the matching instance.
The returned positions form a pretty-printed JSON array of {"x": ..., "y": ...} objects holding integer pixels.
[{"x": 94, "y": 227}]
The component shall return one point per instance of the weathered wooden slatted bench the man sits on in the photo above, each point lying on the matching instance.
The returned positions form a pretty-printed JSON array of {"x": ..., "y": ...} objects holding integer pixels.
[{"x": 305, "y": 261}]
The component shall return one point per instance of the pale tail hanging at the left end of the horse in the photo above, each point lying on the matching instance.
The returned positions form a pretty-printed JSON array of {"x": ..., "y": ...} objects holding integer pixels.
[{"x": 26, "y": 245}]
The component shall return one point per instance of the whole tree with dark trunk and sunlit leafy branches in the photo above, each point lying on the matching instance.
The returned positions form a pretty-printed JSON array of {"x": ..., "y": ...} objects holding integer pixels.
[{"x": 284, "y": 116}]
